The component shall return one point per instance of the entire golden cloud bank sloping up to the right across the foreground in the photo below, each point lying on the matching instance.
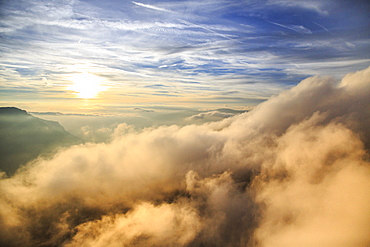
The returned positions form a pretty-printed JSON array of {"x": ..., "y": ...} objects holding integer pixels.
[{"x": 294, "y": 171}]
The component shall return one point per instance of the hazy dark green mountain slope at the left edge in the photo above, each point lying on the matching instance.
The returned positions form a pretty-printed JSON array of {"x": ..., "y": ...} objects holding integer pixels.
[{"x": 24, "y": 137}]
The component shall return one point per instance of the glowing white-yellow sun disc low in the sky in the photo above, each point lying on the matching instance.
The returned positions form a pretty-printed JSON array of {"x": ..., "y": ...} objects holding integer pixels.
[{"x": 86, "y": 85}]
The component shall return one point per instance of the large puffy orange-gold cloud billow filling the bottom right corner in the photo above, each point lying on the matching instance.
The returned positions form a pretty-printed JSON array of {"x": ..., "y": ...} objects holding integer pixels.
[{"x": 315, "y": 194}]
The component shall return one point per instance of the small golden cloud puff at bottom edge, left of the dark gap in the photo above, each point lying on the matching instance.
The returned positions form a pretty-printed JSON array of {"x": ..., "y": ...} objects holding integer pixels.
[{"x": 167, "y": 224}]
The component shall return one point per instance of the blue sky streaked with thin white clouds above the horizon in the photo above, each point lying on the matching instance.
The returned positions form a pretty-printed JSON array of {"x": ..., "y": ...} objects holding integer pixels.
[{"x": 173, "y": 53}]
